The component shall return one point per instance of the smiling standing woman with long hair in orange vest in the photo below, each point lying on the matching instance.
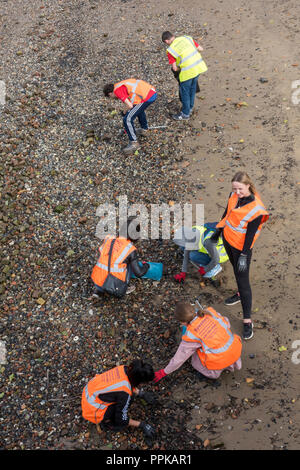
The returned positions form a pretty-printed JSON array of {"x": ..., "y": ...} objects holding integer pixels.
[{"x": 240, "y": 226}]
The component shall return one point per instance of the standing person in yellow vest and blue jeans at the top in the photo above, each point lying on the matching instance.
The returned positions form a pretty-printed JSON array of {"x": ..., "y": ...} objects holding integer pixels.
[{"x": 184, "y": 56}]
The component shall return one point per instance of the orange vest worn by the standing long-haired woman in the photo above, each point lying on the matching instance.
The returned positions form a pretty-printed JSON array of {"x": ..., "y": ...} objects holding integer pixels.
[{"x": 236, "y": 220}]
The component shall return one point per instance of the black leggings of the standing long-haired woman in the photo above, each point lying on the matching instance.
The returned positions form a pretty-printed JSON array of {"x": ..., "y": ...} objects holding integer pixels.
[{"x": 242, "y": 278}]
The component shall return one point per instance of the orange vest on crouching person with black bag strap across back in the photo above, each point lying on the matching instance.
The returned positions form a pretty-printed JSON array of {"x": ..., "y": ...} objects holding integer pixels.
[{"x": 121, "y": 249}]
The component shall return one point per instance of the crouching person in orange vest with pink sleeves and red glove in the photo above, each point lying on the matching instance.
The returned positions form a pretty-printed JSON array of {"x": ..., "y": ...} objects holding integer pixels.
[{"x": 208, "y": 340}]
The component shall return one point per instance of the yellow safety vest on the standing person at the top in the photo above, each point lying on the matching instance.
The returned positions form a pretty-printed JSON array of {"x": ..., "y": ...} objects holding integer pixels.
[{"x": 188, "y": 58}]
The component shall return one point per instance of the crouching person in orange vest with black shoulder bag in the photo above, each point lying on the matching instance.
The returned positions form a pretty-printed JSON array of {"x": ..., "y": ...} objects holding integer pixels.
[{"x": 117, "y": 261}]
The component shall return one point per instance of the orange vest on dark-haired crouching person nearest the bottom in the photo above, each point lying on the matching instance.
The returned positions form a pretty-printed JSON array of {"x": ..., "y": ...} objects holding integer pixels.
[{"x": 114, "y": 380}]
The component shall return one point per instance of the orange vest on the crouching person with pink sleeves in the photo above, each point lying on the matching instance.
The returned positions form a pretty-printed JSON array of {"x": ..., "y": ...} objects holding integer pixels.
[{"x": 218, "y": 346}]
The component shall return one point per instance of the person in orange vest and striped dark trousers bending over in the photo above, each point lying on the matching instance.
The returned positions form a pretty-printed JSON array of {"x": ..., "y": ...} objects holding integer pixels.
[{"x": 137, "y": 95}]
